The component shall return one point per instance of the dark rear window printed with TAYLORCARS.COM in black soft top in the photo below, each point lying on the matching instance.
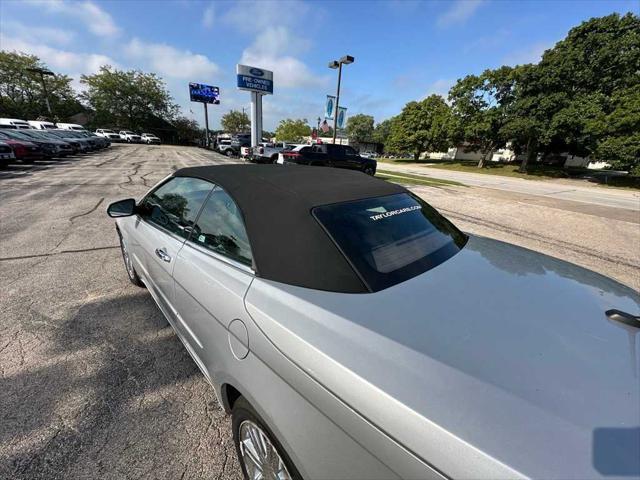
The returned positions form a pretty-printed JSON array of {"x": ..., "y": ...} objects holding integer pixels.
[{"x": 390, "y": 239}]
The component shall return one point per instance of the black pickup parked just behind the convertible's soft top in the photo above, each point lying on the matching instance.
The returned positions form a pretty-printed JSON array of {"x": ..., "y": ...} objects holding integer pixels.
[{"x": 330, "y": 155}]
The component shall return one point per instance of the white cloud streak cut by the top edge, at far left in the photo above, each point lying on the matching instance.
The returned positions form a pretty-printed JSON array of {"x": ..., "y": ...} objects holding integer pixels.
[{"x": 90, "y": 15}]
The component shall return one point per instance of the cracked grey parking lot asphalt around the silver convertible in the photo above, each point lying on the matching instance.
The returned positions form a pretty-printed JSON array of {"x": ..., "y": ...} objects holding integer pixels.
[{"x": 93, "y": 382}]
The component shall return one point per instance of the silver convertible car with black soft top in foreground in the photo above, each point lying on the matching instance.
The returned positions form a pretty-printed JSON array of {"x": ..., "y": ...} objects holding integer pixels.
[{"x": 355, "y": 333}]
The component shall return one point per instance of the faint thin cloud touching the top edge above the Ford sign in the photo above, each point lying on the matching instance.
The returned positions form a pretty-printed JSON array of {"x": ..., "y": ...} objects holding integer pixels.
[{"x": 256, "y": 15}]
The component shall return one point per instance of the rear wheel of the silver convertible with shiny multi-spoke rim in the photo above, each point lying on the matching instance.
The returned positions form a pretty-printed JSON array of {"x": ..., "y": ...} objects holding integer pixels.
[{"x": 259, "y": 453}]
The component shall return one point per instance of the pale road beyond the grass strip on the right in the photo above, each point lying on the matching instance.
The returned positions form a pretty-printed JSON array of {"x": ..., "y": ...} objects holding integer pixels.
[{"x": 557, "y": 189}]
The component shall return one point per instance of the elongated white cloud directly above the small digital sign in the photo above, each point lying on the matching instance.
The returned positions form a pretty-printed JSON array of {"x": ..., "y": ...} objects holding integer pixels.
[{"x": 171, "y": 62}]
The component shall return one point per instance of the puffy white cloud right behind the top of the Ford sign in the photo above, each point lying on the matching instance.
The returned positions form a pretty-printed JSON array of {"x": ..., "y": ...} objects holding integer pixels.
[{"x": 272, "y": 50}]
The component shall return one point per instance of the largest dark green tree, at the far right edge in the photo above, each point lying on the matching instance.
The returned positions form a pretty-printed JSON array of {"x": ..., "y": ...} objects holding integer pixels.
[{"x": 561, "y": 101}]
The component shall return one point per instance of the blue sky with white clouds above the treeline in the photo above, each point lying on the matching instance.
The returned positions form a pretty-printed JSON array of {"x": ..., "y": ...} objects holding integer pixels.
[{"x": 404, "y": 50}]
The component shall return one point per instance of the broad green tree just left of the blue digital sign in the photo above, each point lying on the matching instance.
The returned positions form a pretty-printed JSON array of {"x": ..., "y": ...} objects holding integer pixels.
[{"x": 127, "y": 98}]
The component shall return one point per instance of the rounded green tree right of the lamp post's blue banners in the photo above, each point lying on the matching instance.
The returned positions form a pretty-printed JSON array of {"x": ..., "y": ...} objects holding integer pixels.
[{"x": 425, "y": 126}]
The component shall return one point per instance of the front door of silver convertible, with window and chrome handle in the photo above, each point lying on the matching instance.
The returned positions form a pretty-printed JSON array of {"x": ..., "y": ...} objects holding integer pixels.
[{"x": 165, "y": 219}]
